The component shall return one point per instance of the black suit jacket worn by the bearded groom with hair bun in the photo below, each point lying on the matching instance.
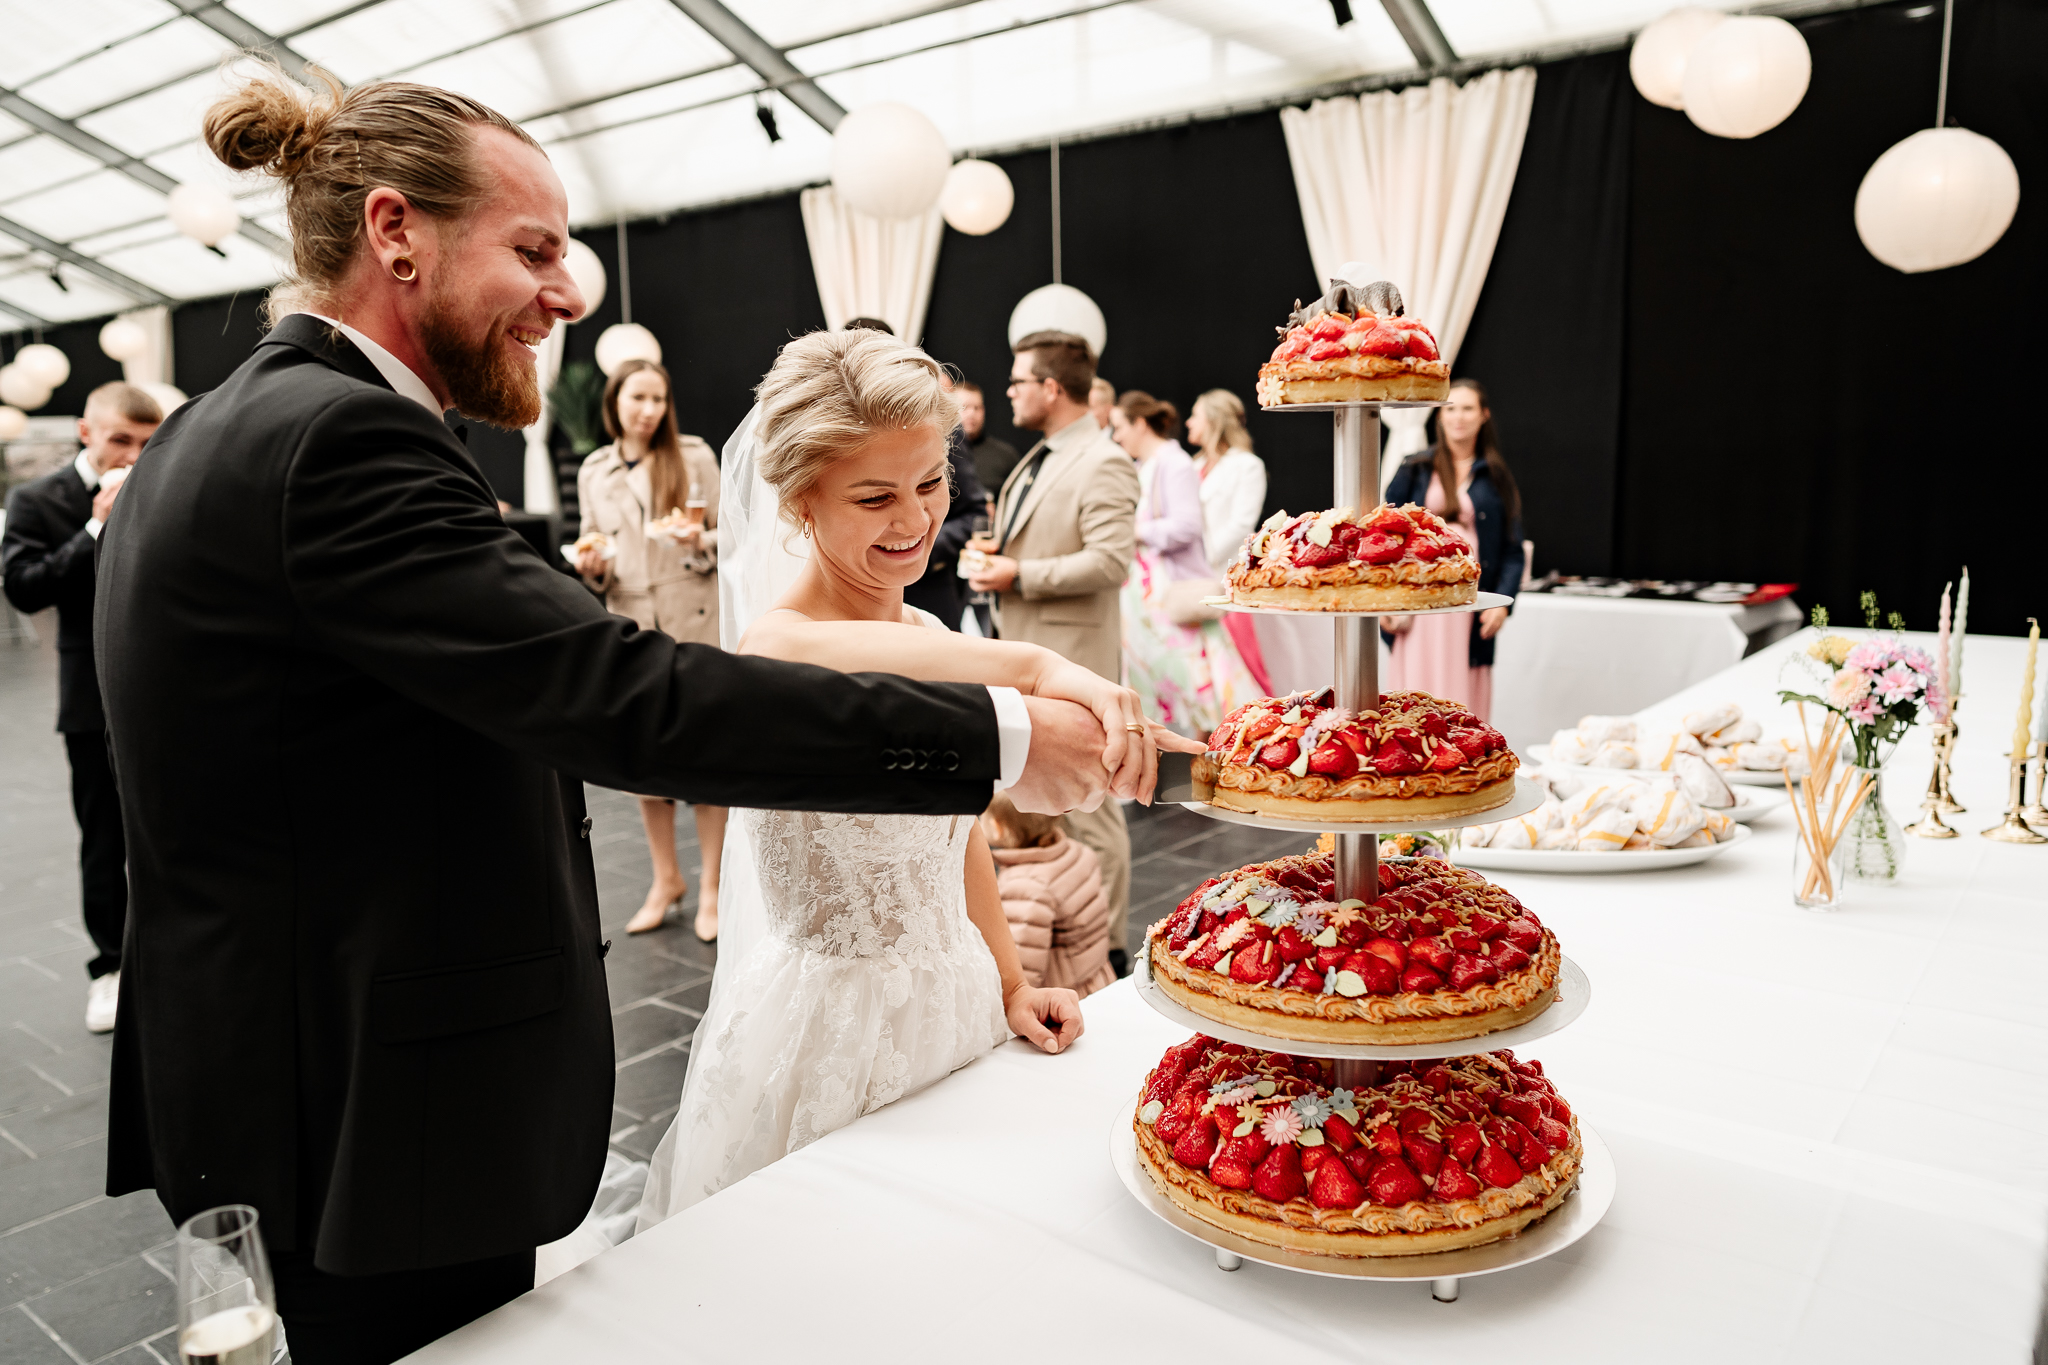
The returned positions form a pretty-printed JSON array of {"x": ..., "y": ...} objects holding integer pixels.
[{"x": 351, "y": 715}]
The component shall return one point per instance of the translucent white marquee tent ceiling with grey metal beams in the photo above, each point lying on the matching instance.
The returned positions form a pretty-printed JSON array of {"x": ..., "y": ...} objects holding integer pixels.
[{"x": 646, "y": 105}]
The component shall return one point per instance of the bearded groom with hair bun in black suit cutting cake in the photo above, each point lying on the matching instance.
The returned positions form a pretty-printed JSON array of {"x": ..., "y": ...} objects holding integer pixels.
[{"x": 353, "y": 715}]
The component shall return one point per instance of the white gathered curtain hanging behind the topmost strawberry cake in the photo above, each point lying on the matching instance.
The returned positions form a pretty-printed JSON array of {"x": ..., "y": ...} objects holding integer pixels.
[{"x": 1416, "y": 185}]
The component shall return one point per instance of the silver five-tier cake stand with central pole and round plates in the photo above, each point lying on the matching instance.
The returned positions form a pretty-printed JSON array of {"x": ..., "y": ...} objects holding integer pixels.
[{"x": 1357, "y": 478}]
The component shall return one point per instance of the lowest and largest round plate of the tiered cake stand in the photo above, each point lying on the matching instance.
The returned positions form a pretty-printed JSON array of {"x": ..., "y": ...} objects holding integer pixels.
[{"x": 1443, "y": 1270}]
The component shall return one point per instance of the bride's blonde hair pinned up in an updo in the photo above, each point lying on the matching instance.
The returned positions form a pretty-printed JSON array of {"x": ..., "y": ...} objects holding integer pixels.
[{"x": 830, "y": 394}]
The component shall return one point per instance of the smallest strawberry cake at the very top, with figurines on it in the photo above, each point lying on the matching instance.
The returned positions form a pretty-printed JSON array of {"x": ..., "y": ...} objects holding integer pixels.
[{"x": 1355, "y": 347}]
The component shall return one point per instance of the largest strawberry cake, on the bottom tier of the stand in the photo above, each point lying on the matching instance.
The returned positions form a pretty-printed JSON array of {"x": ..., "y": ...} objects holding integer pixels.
[{"x": 1431, "y": 1157}]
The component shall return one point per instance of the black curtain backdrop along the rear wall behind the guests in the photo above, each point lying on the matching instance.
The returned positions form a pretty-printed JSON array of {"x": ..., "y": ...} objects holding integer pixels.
[{"x": 1695, "y": 365}]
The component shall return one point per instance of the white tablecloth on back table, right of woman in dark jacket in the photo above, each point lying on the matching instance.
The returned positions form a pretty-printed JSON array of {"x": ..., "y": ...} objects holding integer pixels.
[{"x": 1568, "y": 658}]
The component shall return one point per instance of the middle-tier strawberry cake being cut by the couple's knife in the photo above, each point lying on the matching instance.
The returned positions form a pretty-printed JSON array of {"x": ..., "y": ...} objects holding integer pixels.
[{"x": 1412, "y": 758}]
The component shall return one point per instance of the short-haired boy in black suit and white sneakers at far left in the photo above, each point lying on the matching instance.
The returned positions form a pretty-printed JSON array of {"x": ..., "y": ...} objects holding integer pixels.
[{"x": 46, "y": 560}]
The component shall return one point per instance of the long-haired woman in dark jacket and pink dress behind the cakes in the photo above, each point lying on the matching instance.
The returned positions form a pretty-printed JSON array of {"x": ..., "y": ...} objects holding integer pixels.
[{"x": 1465, "y": 482}]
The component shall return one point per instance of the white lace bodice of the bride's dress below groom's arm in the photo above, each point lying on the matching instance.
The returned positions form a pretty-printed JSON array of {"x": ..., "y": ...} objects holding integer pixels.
[{"x": 865, "y": 885}]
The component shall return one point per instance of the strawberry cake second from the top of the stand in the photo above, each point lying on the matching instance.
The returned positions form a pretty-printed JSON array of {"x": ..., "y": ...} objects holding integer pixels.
[{"x": 1388, "y": 560}]
